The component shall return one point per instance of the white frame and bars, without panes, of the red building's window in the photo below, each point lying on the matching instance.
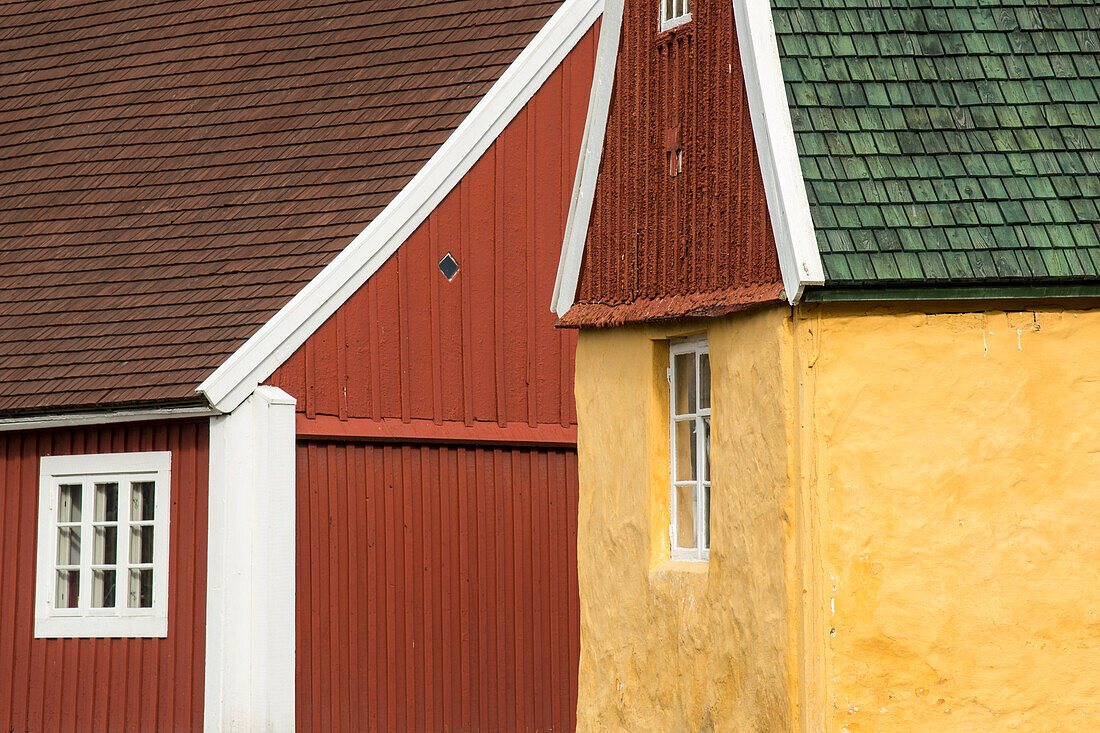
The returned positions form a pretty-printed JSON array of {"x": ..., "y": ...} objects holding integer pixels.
[{"x": 86, "y": 622}]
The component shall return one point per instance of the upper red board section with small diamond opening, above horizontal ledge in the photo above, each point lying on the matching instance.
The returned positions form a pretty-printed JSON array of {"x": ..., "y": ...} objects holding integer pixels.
[{"x": 410, "y": 345}]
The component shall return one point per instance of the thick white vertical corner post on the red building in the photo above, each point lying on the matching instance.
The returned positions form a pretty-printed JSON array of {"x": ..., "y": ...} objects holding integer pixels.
[{"x": 250, "y": 642}]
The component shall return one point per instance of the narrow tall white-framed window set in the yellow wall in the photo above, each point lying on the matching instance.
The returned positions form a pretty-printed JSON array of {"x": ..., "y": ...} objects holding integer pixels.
[{"x": 690, "y": 455}]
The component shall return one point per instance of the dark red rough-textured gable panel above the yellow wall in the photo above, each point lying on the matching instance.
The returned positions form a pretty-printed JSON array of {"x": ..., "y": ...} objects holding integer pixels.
[{"x": 698, "y": 243}]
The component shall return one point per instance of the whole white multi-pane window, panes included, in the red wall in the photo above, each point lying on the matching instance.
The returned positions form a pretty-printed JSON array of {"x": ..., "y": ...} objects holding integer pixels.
[{"x": 104, "y": 545}]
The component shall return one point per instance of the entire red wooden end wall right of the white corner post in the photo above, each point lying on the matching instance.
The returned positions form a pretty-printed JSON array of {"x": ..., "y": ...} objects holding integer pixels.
[{"x": 437, "y": 466}]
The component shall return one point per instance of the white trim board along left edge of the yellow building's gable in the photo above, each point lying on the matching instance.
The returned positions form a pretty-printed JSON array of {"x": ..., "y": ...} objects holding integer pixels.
[{"x": 588, "y": 167}]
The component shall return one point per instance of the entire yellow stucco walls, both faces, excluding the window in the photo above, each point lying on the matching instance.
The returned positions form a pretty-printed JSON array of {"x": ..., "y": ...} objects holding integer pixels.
[{"x": 906, "y": 527}]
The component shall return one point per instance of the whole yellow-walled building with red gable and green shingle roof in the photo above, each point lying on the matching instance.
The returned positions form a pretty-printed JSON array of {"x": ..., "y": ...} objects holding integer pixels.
[{"x": 839, "y": 391}]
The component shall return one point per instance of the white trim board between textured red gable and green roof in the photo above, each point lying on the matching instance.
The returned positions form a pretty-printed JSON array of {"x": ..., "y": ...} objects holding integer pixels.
[{"x": 796, "y": 243}]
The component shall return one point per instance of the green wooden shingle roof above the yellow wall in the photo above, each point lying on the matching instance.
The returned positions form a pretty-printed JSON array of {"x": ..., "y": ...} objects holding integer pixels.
[{"x": 948, "y": 141}]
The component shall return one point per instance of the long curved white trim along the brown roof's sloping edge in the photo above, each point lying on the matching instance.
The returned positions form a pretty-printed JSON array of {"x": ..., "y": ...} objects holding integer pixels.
[{"x": 289, "y": 330}]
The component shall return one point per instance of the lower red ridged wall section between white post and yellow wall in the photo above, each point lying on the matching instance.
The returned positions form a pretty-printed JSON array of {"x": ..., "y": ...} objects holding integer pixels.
[{"x": 443, "y": 588}]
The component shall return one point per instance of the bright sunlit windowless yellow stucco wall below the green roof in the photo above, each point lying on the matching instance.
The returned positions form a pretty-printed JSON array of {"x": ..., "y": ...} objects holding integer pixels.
[{"x": 958, "y": 483}]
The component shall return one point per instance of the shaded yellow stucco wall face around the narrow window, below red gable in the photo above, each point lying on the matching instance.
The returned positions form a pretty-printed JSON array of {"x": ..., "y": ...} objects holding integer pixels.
[{"x": 678, "y": 647}]
